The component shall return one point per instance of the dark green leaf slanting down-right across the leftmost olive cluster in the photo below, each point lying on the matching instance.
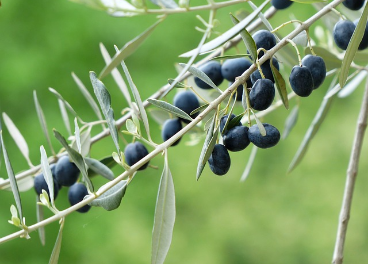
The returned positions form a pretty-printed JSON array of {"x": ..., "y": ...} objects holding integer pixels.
[{"x": 76, "y": 158}]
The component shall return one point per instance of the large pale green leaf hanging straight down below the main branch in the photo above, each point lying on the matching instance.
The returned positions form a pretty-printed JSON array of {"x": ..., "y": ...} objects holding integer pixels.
[{"x": 164, "y": 216}]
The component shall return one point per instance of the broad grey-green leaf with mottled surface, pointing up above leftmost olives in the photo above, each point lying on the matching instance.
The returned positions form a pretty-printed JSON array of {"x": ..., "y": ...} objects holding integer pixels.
[{"x": 104, "y": 99}]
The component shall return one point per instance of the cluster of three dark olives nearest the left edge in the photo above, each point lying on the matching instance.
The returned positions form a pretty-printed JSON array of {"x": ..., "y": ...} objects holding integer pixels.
[{"x": 64, "y": 173}]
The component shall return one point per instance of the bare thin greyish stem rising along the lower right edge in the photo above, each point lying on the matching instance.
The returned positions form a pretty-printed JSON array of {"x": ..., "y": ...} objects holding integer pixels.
[{"x": 351, "y": 175}]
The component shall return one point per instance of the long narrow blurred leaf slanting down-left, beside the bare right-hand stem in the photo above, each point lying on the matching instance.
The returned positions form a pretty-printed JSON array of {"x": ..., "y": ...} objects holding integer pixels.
[{"x": 312, "y": 130}]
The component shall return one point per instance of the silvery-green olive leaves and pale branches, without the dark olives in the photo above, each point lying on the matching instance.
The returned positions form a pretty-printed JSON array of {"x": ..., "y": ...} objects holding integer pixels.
[{"x": 342, "y": 66}]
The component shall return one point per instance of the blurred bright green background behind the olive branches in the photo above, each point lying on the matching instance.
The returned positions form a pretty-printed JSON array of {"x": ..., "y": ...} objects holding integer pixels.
[{"x": 272, "y": 217}]
